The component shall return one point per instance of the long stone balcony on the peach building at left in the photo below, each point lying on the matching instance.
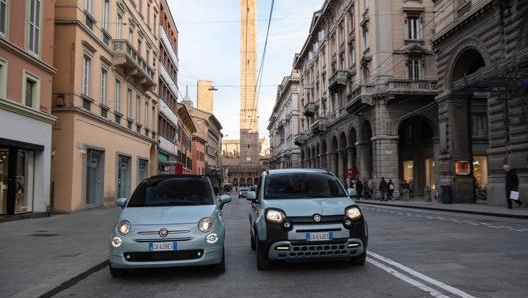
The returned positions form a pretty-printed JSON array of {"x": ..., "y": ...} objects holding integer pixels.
[{"x": 133, "y": 64}]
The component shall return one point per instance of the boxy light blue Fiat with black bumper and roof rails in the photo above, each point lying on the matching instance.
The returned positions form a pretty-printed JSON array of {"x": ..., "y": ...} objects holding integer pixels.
[{"x": 305, "y": 214}]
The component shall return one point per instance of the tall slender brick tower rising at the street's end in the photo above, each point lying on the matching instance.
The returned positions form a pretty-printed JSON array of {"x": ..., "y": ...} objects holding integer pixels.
[{"x": 249, "y": 151}]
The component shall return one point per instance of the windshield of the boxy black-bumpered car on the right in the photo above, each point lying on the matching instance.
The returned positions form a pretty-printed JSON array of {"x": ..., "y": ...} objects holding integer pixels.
[{"x": 302, "y": 185}]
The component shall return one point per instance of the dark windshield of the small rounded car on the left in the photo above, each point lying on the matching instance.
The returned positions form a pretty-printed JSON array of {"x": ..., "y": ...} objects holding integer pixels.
[{"x": 179, "y": 191}]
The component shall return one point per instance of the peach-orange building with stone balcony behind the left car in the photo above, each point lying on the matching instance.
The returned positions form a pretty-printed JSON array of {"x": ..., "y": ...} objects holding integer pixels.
[{"x": 105, "y": 98}]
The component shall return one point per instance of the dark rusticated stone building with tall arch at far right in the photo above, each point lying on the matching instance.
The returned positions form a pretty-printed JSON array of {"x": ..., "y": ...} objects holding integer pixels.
[{"x": 482, "y": 50}]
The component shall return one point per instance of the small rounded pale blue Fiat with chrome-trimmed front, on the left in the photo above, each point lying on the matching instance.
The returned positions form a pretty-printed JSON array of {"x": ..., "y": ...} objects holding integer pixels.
[{"x": 169, "y": 221}]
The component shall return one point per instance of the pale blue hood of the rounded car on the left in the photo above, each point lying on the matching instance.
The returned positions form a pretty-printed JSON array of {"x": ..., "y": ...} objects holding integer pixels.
[{"x": 168, "y": 215}]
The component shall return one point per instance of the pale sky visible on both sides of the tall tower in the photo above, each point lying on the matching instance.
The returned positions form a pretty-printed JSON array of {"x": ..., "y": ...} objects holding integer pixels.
[{"x": 209, "y": 49}]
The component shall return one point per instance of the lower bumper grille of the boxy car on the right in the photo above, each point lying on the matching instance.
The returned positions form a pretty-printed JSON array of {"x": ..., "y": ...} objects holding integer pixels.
[{"x": 306, "y": 249}]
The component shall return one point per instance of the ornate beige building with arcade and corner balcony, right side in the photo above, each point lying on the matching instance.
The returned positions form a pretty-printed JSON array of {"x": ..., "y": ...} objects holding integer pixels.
[{"x": 368, "y": 81}]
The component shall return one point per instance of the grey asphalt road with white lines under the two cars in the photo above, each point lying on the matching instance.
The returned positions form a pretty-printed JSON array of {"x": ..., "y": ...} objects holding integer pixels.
[{"x": 412, "y": 253}]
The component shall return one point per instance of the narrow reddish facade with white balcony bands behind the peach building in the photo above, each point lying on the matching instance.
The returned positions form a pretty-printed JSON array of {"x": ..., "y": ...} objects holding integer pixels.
[{"x": 168, "y": 122}]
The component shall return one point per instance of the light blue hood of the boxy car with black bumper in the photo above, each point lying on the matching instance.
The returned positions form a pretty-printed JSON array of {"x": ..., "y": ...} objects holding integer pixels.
[{"x": 303, "y": 207}]
